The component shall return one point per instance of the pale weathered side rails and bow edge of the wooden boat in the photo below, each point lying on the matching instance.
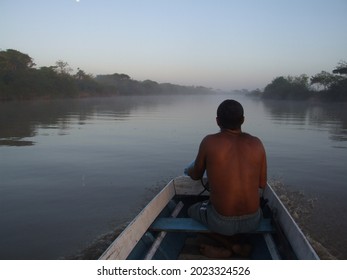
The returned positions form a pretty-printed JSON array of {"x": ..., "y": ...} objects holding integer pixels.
[{"x": 122, "y": 246}]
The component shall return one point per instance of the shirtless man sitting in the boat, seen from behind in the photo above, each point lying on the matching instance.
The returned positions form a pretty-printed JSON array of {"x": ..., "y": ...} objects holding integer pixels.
[{"x": 235, "y": 163}]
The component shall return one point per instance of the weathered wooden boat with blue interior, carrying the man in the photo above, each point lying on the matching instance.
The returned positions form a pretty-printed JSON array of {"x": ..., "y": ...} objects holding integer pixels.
[{"x": 162, "y": 229}]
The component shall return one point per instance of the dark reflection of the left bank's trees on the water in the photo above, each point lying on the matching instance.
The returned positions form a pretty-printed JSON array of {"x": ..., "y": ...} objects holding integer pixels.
[{"x": 21, "y": 120}]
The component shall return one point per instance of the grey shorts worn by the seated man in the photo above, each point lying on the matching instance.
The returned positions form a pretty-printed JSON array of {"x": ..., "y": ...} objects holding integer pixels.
[{"x": 205, "y": 213}]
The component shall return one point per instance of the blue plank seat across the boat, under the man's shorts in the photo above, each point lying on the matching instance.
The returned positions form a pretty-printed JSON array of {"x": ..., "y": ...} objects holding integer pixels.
[{"x": 191, "y": 225}]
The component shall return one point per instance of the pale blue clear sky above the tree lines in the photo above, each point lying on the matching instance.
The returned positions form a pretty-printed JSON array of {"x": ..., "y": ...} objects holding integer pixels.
[{"x": 225, "y": 44}]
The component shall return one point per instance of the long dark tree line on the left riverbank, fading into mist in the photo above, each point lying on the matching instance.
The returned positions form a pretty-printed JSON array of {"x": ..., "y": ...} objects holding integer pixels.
[{"x": 19, "y": 79}]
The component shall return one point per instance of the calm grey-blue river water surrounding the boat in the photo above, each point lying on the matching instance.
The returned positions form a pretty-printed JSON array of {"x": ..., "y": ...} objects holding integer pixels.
[{"x": 73, "y": 170}]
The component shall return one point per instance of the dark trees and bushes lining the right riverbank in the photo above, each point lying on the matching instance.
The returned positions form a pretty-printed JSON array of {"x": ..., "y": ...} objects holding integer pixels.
[{"x": 322, "y": 86}]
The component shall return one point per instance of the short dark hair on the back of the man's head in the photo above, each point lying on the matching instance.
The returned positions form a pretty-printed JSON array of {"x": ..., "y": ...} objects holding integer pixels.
[{"x": 230, "y": 114}]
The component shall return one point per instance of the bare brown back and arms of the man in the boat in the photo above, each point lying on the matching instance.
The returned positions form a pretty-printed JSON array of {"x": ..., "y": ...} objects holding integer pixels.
[{"x": 236, "y": 168}]
